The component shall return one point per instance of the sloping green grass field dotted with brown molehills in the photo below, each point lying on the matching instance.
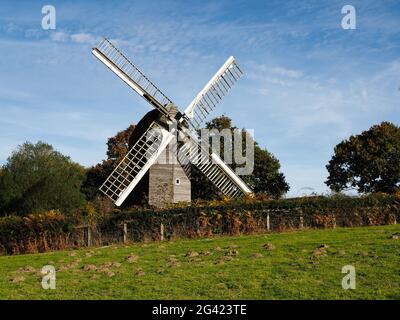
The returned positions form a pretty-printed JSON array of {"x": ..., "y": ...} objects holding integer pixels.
[{"x": 290, "y": 271}]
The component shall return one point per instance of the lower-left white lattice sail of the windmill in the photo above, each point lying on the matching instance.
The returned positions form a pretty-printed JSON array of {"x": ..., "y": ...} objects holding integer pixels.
[{"x": 136, "y": 162}]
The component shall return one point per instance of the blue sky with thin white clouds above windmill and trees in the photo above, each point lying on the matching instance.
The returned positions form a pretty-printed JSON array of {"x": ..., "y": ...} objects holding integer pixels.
[{"x": 308, "y": 82}]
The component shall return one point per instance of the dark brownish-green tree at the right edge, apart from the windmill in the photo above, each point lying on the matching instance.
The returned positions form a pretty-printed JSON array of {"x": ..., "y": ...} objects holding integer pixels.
[{"x": 368, "y": 162}]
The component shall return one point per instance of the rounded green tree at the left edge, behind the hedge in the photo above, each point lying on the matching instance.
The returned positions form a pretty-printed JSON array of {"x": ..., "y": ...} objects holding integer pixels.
[{"x": 38, "y": 178}]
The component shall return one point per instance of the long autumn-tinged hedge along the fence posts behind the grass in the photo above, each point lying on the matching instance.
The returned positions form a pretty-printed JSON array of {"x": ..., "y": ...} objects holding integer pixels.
[{"x": 53, "y": 231}]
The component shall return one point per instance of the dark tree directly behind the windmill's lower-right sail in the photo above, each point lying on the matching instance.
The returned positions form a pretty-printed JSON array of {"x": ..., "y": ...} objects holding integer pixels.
[{"x": 265, "y": 177}]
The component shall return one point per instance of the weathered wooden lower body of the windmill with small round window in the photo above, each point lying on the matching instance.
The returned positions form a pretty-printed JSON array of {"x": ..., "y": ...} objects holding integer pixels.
[{"x": 168, "y": 182}]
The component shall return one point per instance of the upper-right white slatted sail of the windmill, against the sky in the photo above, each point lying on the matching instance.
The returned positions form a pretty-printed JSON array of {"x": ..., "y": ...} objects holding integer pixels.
[{"x": 212, "y": 93}]
